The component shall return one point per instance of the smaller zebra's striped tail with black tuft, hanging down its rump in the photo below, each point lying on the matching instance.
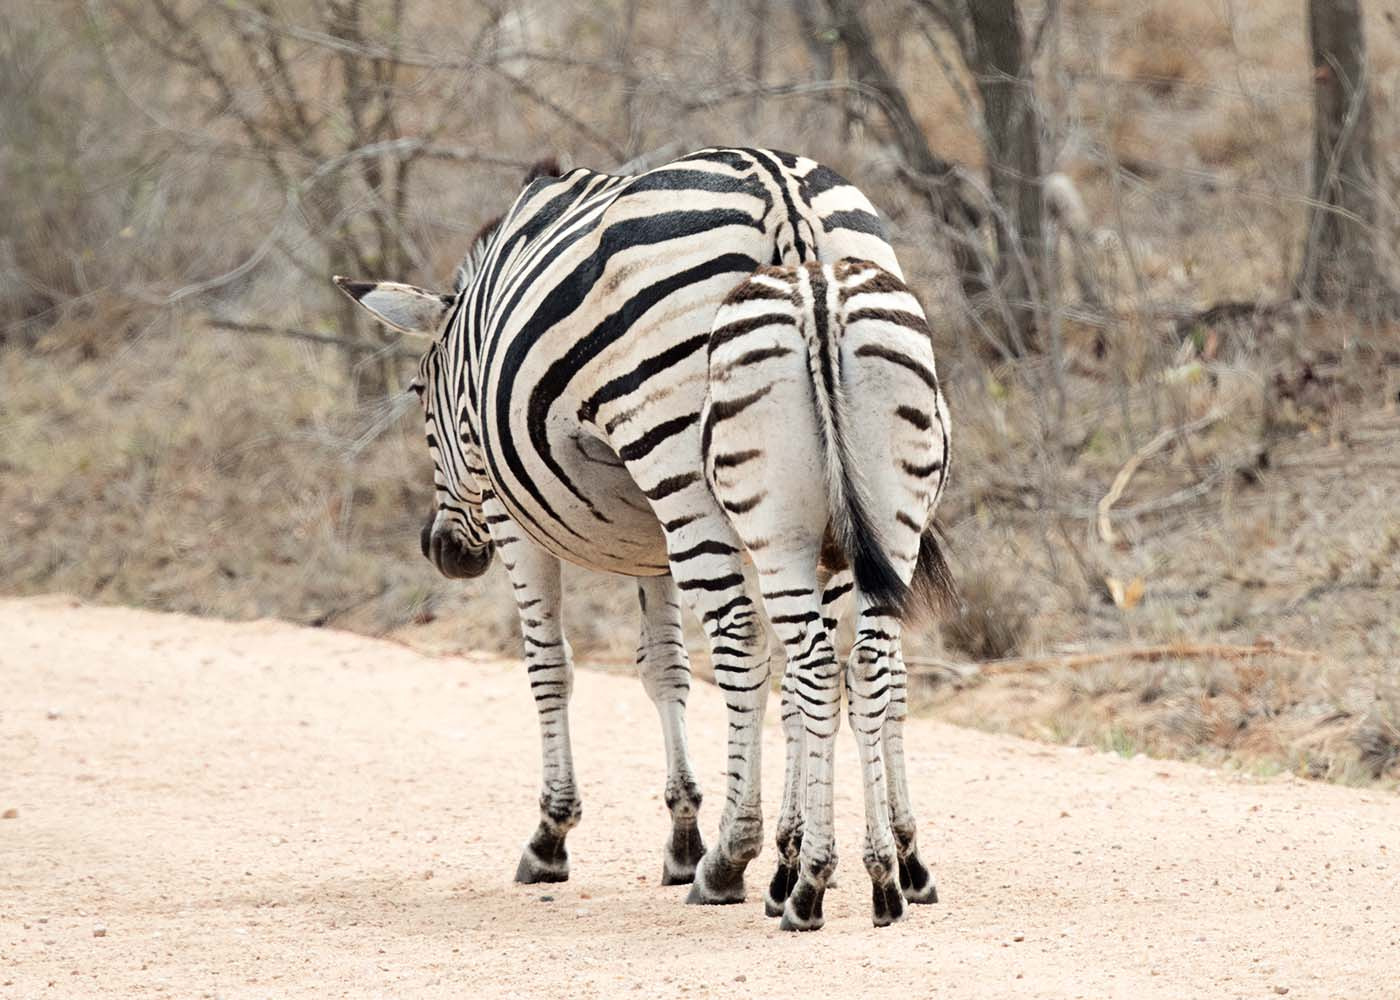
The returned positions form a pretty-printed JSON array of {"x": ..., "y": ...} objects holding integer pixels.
[{"x": 853, "y": 527}]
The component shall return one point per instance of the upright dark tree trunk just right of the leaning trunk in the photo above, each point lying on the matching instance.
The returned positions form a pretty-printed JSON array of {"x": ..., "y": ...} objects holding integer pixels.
[{"x": 1002, "y": 67}]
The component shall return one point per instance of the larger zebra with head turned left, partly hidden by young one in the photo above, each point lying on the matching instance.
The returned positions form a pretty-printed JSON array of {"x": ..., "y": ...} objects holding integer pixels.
[{"x": 562, "y": 401}]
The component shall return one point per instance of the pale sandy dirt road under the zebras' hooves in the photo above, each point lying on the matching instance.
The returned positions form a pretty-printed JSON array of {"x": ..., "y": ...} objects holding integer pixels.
[{"x": 269, "y": 812}]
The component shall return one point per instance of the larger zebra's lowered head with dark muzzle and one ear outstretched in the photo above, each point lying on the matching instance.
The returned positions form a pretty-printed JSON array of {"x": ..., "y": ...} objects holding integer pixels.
[{"x": 456, "y": 537}]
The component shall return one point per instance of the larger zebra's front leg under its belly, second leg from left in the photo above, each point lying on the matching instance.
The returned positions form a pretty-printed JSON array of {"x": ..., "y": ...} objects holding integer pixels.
[{"x": 666, "y": 674}]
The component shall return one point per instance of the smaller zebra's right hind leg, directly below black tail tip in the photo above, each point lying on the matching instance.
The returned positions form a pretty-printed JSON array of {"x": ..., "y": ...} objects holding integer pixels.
[{"x": 869, "y": 683}]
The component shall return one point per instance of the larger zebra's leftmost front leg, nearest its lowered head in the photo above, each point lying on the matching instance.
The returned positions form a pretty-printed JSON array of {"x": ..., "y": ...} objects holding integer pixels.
[{"x": 549, "y": 665}]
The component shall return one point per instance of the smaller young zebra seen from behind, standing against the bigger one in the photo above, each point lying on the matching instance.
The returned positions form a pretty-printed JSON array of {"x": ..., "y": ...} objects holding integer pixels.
[{"x": 841, "y": 359}]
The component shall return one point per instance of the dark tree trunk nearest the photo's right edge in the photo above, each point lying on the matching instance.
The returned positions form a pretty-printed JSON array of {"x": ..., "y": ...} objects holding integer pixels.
[{"x": 1340, "y": 267}]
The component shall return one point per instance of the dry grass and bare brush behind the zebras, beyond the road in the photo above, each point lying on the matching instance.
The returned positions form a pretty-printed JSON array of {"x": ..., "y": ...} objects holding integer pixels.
[{"x": 191, "y": 421}]
